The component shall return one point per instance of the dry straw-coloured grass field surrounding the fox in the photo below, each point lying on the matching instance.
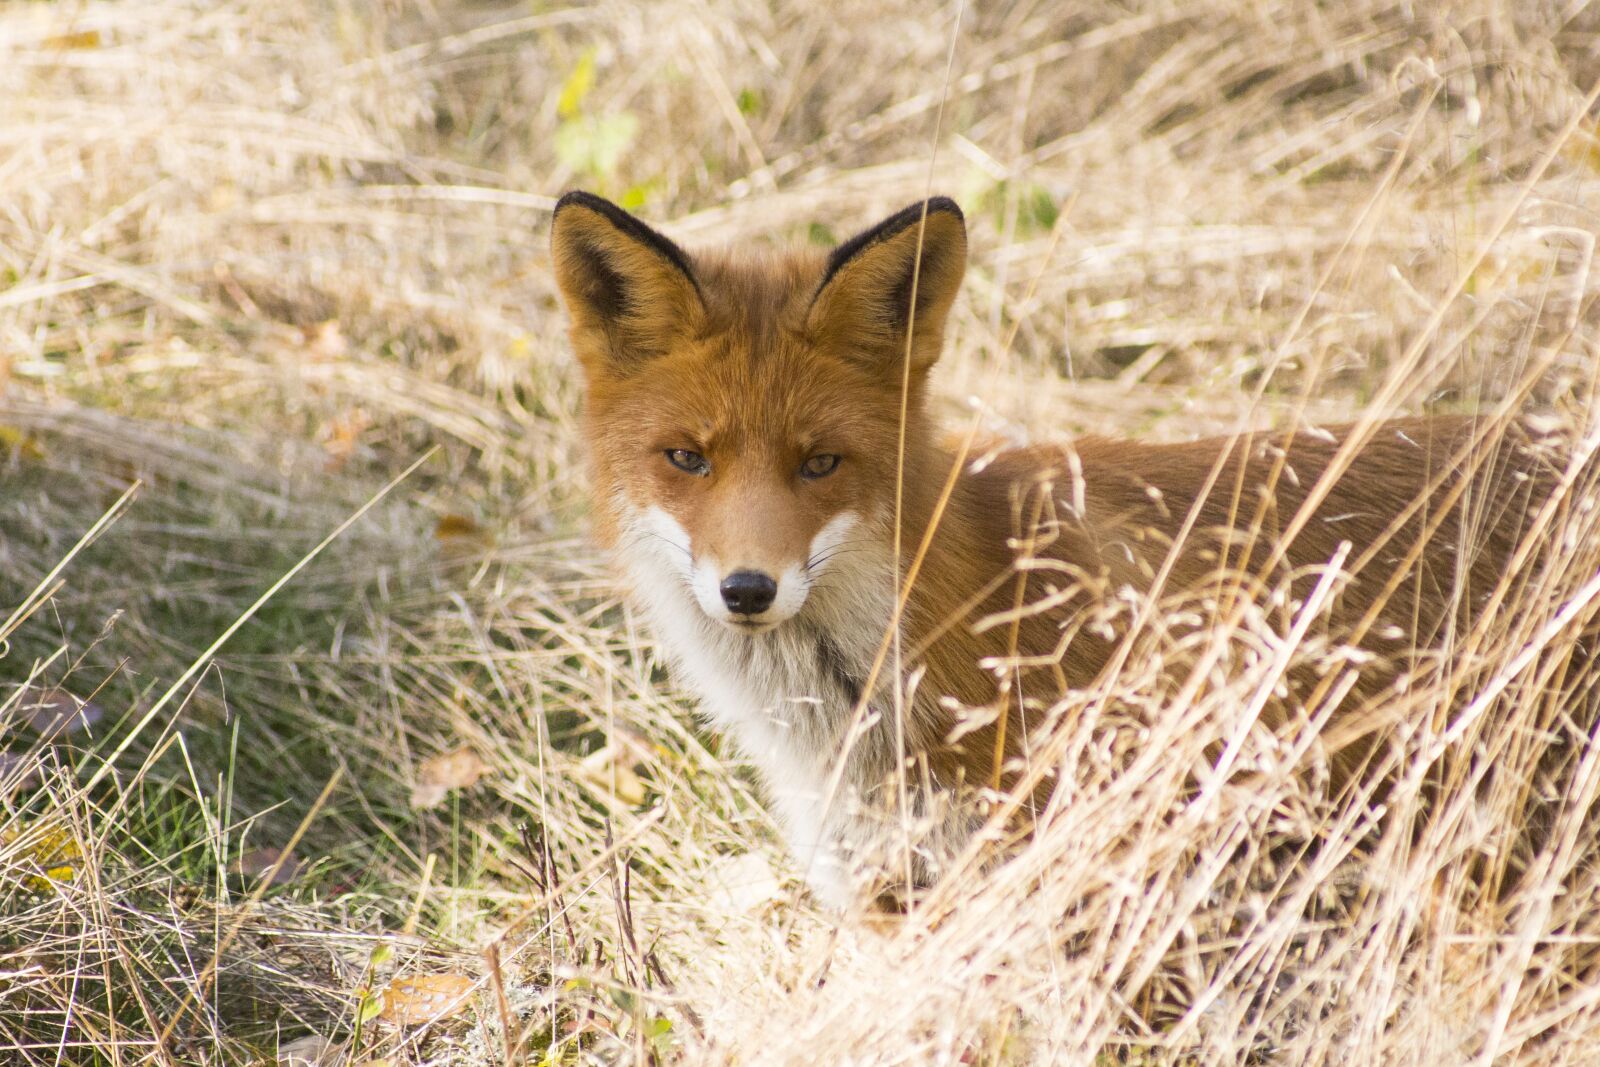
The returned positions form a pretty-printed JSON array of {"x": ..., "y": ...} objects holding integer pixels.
[{"x": 273, "y": 273}]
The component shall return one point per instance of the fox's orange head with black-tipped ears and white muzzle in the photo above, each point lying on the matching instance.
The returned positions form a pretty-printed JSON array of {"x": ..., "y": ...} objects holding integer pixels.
[{"x": 745, "y": 412}]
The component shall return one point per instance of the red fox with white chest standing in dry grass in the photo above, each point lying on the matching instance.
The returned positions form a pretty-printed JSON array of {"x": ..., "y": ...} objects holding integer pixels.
[{"x": 766, "y": 471}]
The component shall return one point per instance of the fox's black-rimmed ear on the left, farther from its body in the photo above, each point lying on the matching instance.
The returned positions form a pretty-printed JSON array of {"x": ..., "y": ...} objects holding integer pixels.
[{"x": 628, "y": 289}]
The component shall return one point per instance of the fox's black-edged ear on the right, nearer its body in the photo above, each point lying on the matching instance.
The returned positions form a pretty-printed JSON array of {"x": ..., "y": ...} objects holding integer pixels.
[{"x": 863, "y": 306}]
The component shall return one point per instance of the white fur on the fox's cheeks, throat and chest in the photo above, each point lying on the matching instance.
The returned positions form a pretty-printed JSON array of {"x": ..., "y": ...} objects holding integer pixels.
[{"x": 788, "y": 698}]
